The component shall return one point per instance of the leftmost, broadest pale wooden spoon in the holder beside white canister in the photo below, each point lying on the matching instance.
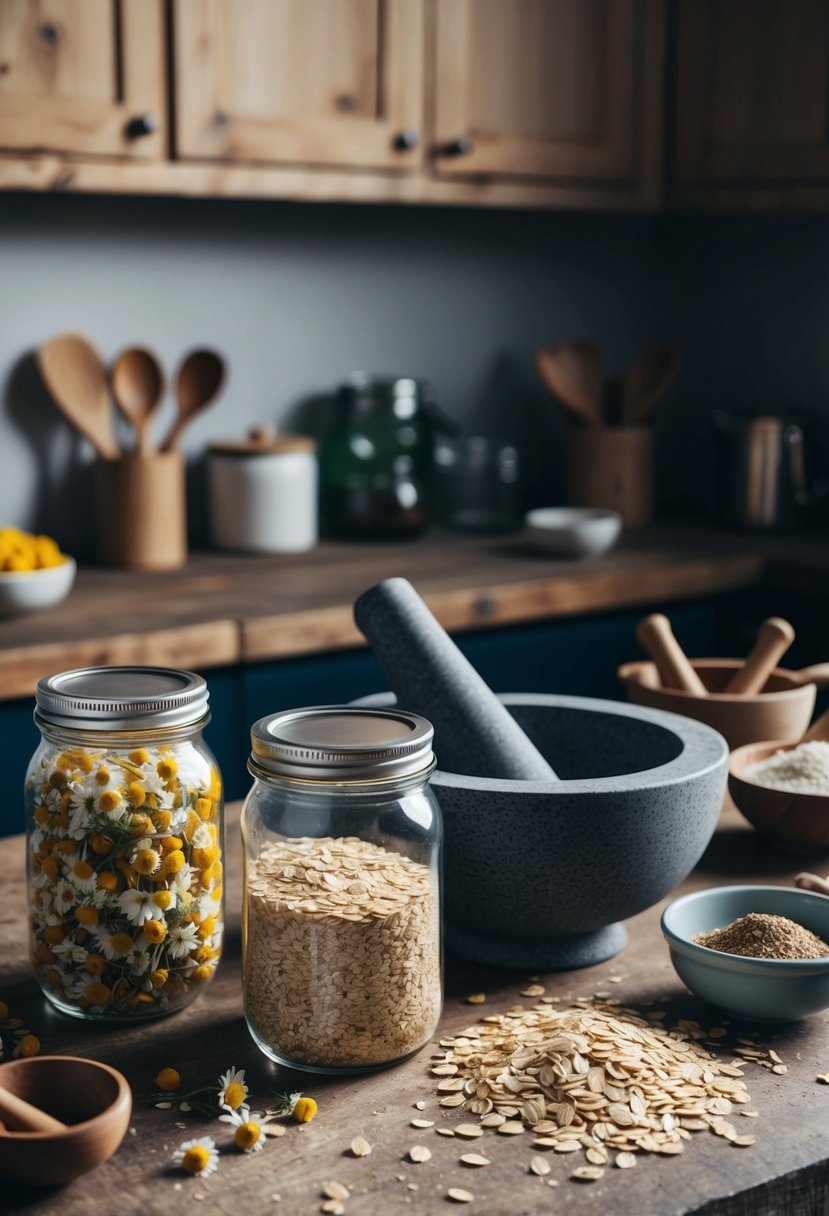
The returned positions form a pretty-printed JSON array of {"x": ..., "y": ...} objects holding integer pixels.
[{"x": 76, "y": 378}]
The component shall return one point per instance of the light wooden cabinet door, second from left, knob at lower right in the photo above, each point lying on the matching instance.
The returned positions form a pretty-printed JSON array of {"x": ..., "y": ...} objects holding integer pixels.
[{"x": 304, "y": 82}]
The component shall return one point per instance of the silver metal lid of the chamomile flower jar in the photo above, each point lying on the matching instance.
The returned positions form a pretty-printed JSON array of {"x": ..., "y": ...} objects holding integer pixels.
[{"x": 122, "y": 699}]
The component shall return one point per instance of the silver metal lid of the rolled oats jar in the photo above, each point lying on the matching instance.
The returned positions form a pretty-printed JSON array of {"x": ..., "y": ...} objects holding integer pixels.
[{"x": 342, "y": 742}]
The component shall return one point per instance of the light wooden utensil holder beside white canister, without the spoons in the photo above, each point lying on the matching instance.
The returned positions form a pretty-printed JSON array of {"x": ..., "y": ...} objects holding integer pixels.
[{"x": 142, "y": 511}]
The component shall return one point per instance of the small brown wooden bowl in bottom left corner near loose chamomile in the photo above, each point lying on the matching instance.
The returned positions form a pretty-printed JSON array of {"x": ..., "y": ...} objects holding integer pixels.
[{"x": 93, "y": 1099}]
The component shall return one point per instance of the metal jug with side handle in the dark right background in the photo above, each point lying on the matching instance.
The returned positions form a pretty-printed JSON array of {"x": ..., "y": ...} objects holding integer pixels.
[{"x": 762, "y": 471}]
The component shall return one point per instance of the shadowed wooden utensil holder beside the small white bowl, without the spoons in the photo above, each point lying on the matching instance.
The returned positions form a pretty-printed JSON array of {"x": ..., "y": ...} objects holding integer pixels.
[{"x": 613, "y": 468}]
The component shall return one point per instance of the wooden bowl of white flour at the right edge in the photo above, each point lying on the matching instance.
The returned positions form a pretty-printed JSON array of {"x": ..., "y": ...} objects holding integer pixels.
[{"x": 797, "y": 824}]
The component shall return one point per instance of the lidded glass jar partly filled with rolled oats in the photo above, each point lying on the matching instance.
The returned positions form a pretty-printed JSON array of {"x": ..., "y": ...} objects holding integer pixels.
[{"x": 341, "y": 932}]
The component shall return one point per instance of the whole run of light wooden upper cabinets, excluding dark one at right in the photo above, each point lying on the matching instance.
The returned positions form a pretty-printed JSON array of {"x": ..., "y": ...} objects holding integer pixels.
[{"x": 505, "y": 103}]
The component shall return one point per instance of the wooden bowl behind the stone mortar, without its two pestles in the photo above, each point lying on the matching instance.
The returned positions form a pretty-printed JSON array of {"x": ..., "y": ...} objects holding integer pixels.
[{"x": 781, "y": 712}]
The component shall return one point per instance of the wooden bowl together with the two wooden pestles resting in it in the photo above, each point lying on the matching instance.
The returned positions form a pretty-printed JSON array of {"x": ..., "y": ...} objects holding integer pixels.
[{"x": 747, "y": 701}]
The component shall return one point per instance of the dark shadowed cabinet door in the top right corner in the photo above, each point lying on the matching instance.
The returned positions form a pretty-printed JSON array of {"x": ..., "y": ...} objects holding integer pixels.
[{"x": 753, "y": 92}]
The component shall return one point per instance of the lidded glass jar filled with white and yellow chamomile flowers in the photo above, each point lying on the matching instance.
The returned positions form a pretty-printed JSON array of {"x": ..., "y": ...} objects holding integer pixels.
[{"x": 125, "y": 824}]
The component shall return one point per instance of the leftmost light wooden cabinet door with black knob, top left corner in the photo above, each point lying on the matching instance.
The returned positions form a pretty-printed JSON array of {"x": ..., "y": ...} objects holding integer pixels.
[{"x": 83, "y": 77}]
